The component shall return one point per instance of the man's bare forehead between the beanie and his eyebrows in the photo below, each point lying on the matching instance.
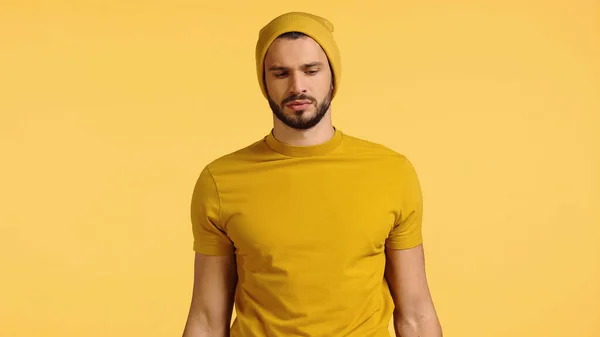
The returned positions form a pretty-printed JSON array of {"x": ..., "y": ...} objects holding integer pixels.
[{"x": 292, "y": 53}]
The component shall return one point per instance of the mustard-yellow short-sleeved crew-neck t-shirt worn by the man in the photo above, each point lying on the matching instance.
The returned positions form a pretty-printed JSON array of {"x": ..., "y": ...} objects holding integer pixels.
[{"x": 308, "y": 227}]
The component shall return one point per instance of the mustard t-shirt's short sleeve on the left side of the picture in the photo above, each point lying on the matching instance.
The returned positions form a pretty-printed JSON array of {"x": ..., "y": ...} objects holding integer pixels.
[{"x": 209, "y": 236}]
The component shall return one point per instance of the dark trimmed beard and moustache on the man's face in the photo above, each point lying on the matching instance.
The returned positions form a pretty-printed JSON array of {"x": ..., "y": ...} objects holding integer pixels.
[{"x": 300, "y": 120}]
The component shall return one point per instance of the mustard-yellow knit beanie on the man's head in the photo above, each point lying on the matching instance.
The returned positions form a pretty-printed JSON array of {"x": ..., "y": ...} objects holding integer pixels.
[{"x": 318, "y": 28}]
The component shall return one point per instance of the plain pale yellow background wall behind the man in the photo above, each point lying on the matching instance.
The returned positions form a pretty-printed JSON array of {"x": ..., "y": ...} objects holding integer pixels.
[{"x": 109, "y": 110}]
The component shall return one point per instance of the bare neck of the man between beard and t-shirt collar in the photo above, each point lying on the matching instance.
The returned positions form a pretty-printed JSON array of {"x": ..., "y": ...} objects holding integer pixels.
[{"x": 319, "y": 134}]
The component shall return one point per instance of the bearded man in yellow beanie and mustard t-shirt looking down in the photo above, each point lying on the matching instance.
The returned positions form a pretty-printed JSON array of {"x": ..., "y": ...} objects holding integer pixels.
[{"x": 309, "y": 231}]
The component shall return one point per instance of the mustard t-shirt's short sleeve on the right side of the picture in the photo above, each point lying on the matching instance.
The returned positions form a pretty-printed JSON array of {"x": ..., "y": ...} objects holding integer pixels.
[{"x": 407, "y": 230}]
